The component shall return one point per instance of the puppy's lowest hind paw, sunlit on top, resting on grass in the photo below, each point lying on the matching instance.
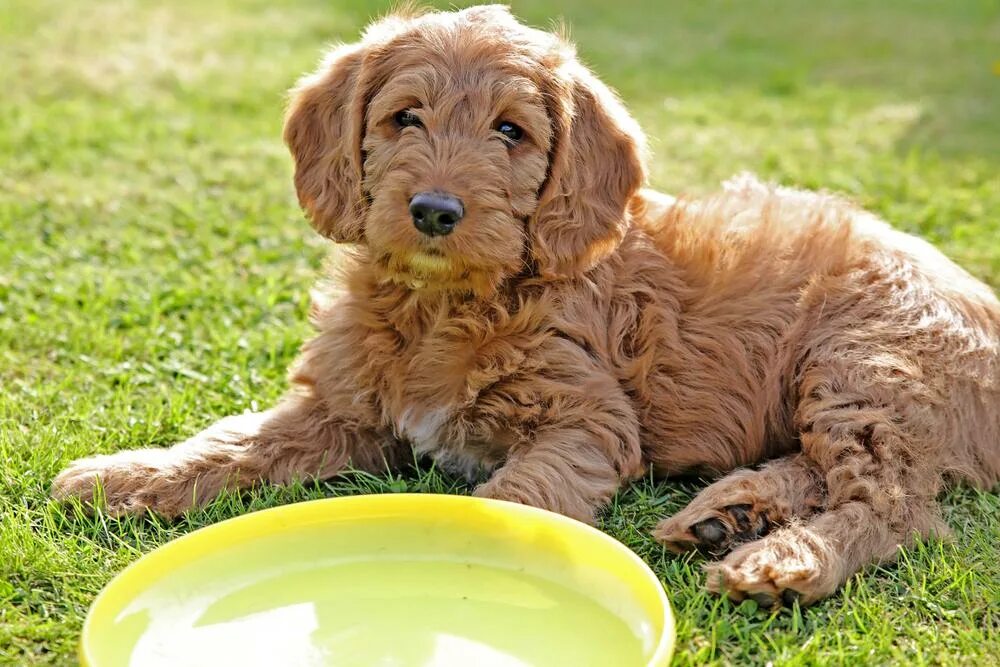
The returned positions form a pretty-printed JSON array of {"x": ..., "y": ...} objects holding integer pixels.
[{"x": 787, "y": 566}]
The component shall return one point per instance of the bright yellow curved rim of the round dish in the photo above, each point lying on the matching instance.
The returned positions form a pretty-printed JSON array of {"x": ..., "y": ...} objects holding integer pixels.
[{"x": 660, "y": 657}]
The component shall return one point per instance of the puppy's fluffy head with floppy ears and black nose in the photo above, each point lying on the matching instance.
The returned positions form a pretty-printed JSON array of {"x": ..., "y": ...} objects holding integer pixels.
[{"x": 463, "y": 148}]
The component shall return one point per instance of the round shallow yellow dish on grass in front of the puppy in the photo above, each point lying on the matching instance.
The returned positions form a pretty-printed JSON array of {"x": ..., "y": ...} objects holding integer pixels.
[{"x": 385, "y": 580}]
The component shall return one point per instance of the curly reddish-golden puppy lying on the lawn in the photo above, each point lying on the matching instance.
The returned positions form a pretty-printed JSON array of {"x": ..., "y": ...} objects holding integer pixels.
[{"x": 516, "y": 305}]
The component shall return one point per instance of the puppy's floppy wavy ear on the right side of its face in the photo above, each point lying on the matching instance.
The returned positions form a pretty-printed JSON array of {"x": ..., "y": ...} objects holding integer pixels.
[{"x": 595, "y": 167}]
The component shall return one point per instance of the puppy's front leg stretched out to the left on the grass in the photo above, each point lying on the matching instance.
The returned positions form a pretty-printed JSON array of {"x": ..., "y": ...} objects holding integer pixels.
[{"x": 300, "y": 438}]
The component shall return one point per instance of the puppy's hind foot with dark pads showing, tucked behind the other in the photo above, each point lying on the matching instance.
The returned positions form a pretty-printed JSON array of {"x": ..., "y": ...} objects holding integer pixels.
[{"x": 744, "y": 506}]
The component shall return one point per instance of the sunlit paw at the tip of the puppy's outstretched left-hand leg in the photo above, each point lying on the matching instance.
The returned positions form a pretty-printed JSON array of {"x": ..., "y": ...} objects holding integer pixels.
[{"x": 128, "y": 482}]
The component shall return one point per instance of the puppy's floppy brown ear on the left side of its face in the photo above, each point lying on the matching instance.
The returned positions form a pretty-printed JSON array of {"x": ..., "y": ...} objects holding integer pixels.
[{"x": 323, "y": 127}]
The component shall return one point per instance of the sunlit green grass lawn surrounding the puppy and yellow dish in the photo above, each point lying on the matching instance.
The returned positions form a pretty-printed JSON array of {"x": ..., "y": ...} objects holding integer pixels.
[{"x": 154, "y": 268}]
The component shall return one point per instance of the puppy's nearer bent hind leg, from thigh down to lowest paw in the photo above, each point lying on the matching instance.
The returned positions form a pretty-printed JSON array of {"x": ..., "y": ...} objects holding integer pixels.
[{"x": 871, "y": 426}]
